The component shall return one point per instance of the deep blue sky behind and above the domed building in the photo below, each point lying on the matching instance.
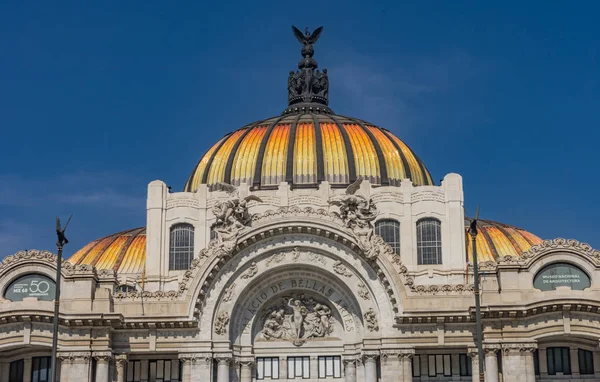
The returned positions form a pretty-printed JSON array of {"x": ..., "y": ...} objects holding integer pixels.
[{"x": 97, "y": 100}]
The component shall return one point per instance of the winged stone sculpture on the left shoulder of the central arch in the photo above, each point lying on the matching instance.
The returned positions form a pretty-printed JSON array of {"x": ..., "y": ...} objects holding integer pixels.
[{"x": 231, "y": 217}]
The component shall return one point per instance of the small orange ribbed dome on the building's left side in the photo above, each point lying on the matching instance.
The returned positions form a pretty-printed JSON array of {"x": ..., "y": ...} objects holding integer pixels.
[{"x": 124, "y": 252}]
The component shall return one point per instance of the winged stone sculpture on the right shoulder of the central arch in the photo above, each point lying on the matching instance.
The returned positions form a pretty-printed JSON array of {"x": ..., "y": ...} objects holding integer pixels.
[{"x": 358, "y": 213}]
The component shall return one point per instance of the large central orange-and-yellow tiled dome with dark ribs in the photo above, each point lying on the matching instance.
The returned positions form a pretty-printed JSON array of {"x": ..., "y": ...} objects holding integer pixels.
[{"x": 306, "y": 149}]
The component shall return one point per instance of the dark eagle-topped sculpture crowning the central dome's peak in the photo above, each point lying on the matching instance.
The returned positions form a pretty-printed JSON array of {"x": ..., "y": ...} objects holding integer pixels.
[{"x": 308, "y": 87}]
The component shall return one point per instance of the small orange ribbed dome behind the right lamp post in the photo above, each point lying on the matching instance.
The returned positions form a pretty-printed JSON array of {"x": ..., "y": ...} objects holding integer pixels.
[{"x": 496, "y": 240}]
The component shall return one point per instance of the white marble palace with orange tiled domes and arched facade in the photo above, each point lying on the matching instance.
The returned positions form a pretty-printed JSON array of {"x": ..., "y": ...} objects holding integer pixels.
[{"x": 309, "y": 246}]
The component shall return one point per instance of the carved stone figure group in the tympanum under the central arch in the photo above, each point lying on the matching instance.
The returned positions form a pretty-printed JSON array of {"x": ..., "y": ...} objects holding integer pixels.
[{"x": 297, "y": 319}]
